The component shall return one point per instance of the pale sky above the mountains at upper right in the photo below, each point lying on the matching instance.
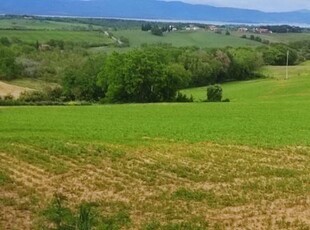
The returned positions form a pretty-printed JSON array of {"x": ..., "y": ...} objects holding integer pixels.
[{"x": 264, "y": 5}]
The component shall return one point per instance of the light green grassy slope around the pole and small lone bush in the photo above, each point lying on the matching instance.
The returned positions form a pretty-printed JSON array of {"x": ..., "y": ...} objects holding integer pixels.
[{"x": 275, "y": 88}]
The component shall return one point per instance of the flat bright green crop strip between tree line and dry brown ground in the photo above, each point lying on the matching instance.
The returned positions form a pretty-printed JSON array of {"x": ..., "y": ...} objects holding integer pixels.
[{"x": 183, "y": 122}]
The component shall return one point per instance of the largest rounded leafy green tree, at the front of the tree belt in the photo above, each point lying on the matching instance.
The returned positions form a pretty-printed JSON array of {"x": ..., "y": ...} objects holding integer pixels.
[{"x": 141, "y": 76}]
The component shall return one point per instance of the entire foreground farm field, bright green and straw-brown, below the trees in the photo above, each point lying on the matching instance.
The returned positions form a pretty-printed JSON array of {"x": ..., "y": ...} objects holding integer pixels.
[{"x": 237, "y": 165}]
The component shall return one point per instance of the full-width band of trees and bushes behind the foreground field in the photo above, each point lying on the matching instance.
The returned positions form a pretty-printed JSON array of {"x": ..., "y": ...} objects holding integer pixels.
[{"x": 148, "y": 74}]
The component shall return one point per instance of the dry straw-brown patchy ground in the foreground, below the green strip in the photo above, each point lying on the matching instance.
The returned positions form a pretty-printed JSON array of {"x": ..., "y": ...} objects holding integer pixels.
[{"x": 242, "y": 187}]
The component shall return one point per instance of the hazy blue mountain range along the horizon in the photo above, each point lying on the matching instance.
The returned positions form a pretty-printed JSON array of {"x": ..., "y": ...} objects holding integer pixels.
[{"x": 149, "y": 9}]
